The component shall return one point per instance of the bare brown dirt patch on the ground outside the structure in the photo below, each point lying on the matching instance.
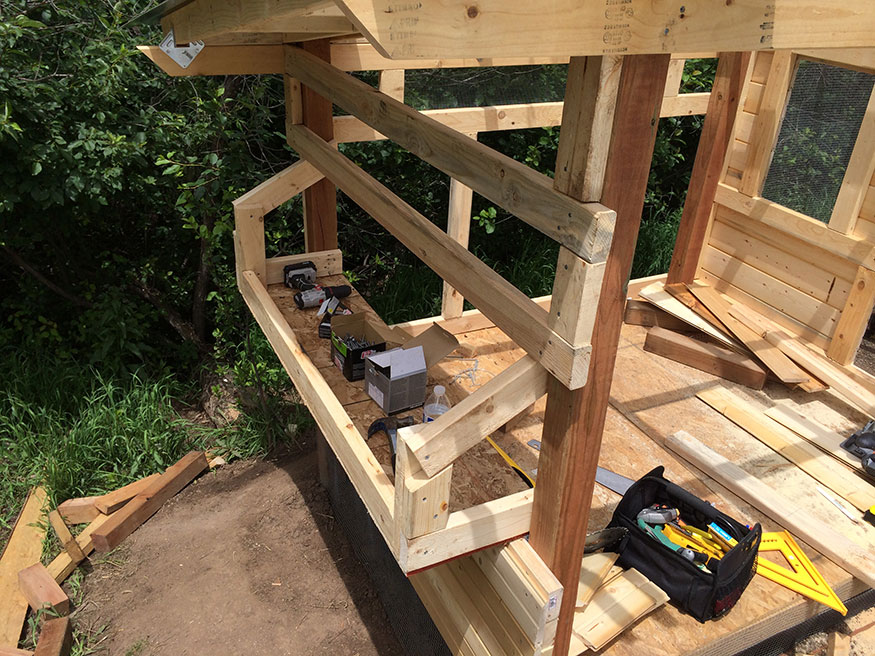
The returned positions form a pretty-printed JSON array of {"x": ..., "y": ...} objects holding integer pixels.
[{"x": 246, "y": 560}]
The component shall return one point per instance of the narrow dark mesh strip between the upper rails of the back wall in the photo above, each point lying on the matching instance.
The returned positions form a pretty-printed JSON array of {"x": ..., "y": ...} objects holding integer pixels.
[{"x": 441, "y": 88}]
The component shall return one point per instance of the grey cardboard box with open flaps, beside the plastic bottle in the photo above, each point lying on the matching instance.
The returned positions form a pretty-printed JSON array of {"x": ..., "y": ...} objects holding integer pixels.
[{"x": 397, "y": 379}]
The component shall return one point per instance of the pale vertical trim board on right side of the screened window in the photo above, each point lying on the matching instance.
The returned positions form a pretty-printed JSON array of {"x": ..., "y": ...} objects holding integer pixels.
[{"x": 858, "y": 173}]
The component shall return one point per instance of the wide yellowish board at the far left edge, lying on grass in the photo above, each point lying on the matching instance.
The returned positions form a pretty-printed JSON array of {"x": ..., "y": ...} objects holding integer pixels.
[{"x": 23, "y": 549}]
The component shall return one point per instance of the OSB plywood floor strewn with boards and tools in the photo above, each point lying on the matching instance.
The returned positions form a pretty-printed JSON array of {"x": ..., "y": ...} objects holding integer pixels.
[{"x": 650, "y": 398}]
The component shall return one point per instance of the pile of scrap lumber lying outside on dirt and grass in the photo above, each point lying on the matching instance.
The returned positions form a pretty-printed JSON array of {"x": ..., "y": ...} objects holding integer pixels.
[{"x": 26, "y": 583}]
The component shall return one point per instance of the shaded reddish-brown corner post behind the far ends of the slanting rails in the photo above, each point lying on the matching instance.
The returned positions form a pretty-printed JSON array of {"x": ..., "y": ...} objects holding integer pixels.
[{"x": 320, "y": 199}]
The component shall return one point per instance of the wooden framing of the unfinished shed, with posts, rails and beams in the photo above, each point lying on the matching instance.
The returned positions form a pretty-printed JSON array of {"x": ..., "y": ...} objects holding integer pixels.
[{"x": 504, "y": 599}]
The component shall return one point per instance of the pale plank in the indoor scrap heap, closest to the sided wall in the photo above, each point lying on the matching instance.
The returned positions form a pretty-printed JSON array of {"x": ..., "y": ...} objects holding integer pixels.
[{"x": 823, "y": 368}]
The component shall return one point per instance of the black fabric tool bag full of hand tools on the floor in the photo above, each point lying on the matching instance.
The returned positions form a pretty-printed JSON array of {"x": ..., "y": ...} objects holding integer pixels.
[{"x": 705, "y": 596}]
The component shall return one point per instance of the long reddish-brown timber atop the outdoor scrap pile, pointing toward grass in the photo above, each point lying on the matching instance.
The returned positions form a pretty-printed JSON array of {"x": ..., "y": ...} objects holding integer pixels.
[{"x": 127, "y": 520}]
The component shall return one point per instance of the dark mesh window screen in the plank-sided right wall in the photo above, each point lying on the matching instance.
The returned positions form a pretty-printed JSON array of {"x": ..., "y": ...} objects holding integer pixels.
[{"x": 817, "y": 136}]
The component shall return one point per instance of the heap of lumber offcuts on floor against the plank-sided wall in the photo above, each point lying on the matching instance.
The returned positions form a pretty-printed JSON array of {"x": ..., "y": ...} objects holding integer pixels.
[{"x": 743, "y": 345}]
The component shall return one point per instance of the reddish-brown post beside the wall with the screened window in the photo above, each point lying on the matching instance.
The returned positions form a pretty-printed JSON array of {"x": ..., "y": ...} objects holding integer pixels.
[{"x": 732, "y": 72}]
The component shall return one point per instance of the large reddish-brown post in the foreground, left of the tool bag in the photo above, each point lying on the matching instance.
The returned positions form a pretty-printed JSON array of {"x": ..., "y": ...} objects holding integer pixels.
[{"x": 574, "y": 420}]
